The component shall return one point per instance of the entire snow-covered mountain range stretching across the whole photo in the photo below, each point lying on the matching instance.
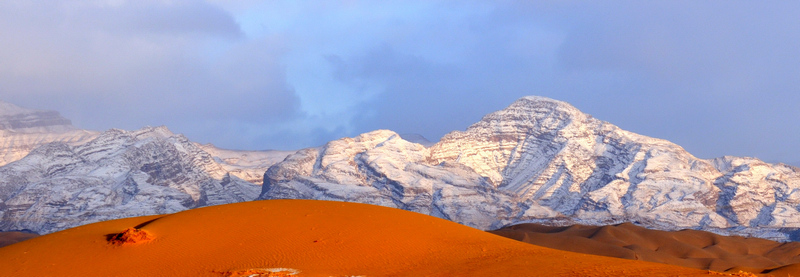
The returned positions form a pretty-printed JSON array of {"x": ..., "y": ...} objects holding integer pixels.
[{"x": 538, "y": 160}]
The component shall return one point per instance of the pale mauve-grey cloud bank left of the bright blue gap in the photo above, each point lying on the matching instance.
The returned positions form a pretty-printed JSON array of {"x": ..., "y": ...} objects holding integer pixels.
[{"x": 185, "y": 64}]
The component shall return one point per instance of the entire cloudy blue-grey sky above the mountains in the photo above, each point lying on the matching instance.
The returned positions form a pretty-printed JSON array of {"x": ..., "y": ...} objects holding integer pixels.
[{"x": 716, "y": 77}]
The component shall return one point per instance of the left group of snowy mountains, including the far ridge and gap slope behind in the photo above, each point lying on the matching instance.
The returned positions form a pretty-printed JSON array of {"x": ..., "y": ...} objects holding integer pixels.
[{"x": 69, "y": 177}]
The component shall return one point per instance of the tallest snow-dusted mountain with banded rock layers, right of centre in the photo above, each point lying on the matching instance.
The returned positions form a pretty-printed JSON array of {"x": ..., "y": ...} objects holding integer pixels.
[{"x": 559, "y": 160}]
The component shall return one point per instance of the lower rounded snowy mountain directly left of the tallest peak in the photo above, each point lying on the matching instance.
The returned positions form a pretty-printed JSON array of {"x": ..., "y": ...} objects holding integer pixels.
[{"x": 381, "y": 168}]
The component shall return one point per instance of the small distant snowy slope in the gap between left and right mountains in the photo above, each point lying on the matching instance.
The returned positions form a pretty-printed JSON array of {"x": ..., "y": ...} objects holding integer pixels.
[{"x": 245, "y": 164}]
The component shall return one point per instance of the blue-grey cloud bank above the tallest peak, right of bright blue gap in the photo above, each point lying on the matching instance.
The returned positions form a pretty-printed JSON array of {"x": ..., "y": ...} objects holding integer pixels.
[{"x": 717, "y": 78}]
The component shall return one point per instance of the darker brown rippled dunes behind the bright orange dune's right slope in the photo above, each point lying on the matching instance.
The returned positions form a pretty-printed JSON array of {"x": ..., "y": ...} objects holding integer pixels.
[{"x": 689, "y": 248}]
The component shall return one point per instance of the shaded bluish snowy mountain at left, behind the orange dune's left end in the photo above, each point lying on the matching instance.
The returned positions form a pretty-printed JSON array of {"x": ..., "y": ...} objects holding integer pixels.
[{"x": 118, "y": 174}]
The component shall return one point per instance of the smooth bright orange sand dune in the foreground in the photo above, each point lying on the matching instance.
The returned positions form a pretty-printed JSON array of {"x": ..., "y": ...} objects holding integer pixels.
[{"x": 304, "y": 238}]
